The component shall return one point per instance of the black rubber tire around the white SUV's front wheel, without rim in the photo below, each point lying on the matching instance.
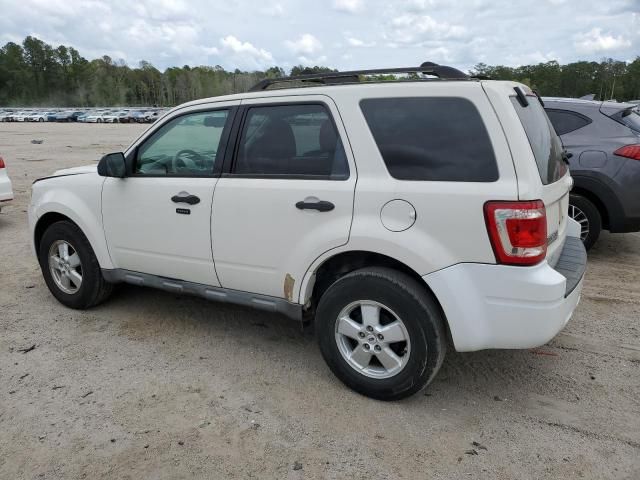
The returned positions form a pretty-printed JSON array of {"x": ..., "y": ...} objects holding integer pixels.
[{"x": 93, "y": 289}]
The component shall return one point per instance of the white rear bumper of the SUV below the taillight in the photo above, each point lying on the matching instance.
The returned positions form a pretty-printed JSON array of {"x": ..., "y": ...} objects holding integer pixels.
[{"x": 499, "y": 306}]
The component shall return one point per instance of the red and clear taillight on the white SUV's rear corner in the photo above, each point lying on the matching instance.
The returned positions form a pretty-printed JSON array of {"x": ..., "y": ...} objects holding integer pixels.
[{"x": 518, "y": 231}]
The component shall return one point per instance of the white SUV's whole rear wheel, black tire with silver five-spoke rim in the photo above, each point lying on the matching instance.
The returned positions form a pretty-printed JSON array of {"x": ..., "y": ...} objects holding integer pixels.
[{"x": 381, "y": 333}]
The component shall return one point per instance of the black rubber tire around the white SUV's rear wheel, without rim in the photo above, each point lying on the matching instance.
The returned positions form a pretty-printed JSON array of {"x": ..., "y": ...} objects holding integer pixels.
[{"x": 422, "y": 319}]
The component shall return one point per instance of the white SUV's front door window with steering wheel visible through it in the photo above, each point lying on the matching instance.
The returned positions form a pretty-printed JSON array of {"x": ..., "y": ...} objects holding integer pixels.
[{"x": 186, "y": 145}]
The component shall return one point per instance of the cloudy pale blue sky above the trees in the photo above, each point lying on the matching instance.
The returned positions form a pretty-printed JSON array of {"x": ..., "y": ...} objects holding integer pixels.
[{"x": 343, "y": 34}]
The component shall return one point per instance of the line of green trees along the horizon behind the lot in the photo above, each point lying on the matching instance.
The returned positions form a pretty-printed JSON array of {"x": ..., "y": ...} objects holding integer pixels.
[{"x": 37, "y": 74}]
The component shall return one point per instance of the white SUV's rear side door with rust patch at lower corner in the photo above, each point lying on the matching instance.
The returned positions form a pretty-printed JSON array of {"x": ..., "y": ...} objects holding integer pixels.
[{"x": 287, "y": 197}]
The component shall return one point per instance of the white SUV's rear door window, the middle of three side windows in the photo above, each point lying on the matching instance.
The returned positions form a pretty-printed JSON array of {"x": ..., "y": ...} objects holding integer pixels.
[{"x": 290, "y": 140}]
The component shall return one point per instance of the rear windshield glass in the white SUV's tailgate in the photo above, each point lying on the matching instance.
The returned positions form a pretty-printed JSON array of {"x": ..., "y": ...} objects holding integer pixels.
[{"x": 545, "y": 143}]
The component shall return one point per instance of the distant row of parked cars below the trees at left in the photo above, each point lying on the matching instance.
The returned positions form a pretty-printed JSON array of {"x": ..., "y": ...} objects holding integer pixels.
[{"x": 83, "y": 116}]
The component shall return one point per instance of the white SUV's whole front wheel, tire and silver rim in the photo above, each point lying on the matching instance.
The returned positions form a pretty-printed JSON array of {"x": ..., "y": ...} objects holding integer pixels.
[{"x": 70, "y": 267}]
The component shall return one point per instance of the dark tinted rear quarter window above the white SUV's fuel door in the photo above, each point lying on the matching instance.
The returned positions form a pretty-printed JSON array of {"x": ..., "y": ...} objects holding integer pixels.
[{"x": 431, "y": 138}]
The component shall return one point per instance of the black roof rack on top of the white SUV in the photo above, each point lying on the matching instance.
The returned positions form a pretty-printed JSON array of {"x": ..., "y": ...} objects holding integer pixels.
[{"x": 332, "y": 78}]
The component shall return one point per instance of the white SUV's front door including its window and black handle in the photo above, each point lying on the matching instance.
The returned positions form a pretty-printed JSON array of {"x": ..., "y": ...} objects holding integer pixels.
[{"x": 157, "y": 220}]
